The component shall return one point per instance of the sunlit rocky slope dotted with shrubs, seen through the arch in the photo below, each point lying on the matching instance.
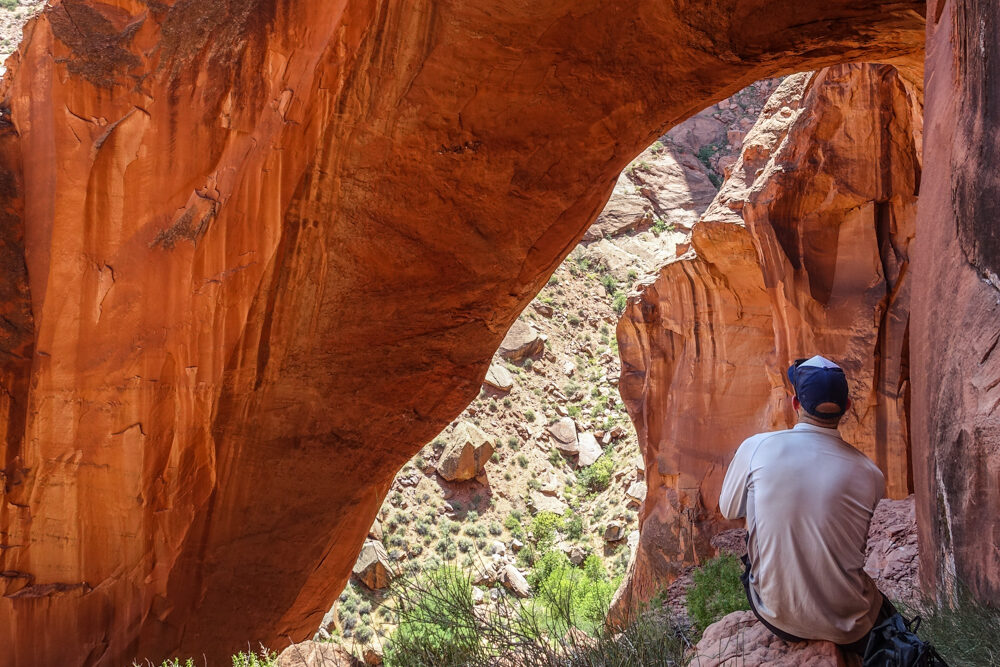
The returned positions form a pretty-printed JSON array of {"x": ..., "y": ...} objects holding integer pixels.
[{"x": 549, "y": 405}]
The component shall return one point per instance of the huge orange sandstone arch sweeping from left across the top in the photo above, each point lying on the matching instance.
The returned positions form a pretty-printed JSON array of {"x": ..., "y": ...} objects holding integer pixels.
[{"x": 255, "y": 254}]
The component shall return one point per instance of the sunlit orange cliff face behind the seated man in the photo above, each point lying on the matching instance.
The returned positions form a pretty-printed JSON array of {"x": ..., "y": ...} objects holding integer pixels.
[{"x": 804, "y": 251}]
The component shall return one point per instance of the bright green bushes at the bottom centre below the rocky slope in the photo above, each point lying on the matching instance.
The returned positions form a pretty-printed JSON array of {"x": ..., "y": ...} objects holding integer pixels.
[{"x": 438, "y": 625}]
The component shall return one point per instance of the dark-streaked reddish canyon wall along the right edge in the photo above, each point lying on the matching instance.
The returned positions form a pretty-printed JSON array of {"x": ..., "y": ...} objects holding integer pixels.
[{"x": 956, "y": 315}]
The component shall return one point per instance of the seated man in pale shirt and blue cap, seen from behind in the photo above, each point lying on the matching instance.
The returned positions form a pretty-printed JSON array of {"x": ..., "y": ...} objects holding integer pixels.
[{"x": 808, "y": 499}]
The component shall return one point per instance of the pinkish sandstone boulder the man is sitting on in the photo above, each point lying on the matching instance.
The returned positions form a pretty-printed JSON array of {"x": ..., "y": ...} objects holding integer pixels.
[{"x": 740, "y": 639}]
